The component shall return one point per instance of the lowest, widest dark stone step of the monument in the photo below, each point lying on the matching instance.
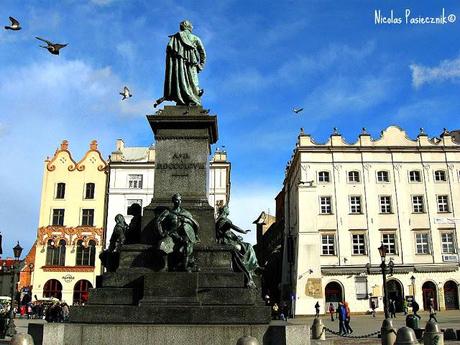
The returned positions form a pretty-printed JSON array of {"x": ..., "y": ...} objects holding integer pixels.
[{"x": 170, "y": 314}]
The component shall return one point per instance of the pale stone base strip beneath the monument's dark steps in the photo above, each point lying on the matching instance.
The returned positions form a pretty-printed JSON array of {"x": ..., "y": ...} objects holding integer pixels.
[{"x": 133, "y": 334}]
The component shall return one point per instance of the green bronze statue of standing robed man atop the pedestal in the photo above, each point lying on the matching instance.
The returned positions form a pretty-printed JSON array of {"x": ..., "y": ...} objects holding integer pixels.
[{"x": 185, "y": 58}]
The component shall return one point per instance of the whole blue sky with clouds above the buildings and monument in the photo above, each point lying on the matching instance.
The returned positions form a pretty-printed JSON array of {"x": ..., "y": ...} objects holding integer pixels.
[{"x": 264, "y": 58}]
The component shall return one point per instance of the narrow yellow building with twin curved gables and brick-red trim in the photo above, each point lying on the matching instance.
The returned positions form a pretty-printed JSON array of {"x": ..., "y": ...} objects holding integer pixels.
[{"x": 71, "y": 223}]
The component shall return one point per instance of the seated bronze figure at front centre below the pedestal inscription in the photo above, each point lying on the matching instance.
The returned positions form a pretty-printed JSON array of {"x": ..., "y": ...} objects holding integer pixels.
[{"x": 178, "y": 227}]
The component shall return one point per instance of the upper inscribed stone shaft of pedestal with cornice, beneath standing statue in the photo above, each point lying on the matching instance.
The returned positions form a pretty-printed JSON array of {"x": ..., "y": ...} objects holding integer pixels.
[{"x": 183, "y": 137}]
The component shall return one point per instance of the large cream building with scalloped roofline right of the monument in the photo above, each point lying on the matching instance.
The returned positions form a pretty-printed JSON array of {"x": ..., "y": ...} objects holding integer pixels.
[{"x": 343, "y": 200}]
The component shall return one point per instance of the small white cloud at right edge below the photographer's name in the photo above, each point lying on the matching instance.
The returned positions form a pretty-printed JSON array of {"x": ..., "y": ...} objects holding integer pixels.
[{"x": 447, "y": 70}]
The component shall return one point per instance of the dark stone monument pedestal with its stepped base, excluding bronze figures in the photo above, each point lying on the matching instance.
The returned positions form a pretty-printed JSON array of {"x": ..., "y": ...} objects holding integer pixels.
[{"x": 143, "y": 291}]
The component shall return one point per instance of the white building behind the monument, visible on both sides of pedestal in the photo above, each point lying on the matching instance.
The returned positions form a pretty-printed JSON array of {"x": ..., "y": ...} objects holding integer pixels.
[{"x": 131, "y": 181}]
